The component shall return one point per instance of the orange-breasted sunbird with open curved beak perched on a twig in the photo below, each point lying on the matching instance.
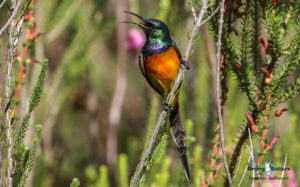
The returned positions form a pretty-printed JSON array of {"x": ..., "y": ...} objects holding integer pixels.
[{"x": 159, "y": 62}]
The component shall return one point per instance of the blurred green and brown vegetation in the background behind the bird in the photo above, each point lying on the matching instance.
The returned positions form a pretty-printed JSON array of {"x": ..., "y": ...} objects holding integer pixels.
[{"x": 97, "y": 110}]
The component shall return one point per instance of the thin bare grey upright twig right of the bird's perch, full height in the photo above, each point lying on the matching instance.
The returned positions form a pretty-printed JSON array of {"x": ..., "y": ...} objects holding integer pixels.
[{"x": 219, "y": 93}]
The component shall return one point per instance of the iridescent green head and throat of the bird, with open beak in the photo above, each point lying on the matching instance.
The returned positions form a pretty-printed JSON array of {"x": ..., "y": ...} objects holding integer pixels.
[{"x": 157, "y": 34}]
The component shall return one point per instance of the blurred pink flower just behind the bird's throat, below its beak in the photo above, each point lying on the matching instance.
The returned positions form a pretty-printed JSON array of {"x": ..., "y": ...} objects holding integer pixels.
[{"x": 135, "y": 40}]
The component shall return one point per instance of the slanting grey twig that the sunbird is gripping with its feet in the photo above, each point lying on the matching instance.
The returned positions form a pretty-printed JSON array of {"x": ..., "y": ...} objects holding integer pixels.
[{"x": 176, "y": 84}]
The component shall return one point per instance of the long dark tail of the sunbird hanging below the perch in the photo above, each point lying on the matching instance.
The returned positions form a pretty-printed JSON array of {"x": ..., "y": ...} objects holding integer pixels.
[{"x": 179, "y": 134}]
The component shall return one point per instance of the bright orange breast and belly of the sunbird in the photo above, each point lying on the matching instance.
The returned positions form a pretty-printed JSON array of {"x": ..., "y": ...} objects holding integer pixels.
[{"x": 162, "y": 69}]
